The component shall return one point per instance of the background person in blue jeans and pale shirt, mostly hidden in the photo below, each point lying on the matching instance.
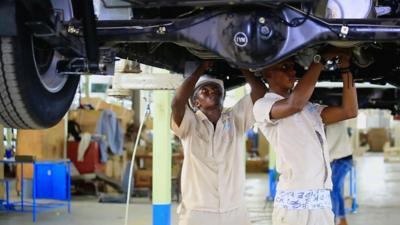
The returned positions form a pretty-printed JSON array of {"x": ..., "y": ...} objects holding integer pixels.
[{"x": 340, "y": 154}]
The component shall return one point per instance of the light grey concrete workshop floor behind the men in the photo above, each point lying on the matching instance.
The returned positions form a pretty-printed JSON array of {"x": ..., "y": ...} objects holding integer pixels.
[{"x": 378, "y": 191}]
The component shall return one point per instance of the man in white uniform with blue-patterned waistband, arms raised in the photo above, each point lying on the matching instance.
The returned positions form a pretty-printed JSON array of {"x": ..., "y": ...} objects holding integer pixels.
[{"x": 295, "y": 129}]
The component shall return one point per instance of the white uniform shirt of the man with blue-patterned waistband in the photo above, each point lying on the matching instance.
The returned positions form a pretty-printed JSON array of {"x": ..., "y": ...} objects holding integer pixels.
[{"x": 300, "y": 143}]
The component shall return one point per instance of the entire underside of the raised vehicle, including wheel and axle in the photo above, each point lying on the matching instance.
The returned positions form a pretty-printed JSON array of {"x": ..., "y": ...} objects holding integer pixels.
[{"x": 68, "y": 38}]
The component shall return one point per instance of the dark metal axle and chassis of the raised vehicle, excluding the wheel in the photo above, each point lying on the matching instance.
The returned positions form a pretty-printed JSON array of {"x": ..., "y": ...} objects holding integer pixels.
[{"x": 237, "y": 36}]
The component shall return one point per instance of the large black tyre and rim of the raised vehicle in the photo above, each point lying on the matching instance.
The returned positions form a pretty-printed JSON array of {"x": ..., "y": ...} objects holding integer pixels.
[{"x": 32, "y": 94}]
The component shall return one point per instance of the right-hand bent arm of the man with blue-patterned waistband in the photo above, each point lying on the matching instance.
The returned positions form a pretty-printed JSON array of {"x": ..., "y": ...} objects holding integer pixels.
[{"x": 349, "y": 107}]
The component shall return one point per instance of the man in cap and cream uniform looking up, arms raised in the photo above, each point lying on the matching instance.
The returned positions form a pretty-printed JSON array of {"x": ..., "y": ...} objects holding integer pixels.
[{"x": 213, "y": 171}]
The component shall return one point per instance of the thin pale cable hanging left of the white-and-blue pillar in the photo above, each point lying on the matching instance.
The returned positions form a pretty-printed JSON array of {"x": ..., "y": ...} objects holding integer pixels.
[{"x": 128, "y": 196}]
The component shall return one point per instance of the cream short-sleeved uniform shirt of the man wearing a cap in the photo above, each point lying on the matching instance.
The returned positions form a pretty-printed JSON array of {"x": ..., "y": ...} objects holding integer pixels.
[{"x": 213, "y": 172}]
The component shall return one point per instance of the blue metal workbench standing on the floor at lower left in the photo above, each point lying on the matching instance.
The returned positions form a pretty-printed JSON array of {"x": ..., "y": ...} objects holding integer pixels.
[{"x": 50, "y": 187}]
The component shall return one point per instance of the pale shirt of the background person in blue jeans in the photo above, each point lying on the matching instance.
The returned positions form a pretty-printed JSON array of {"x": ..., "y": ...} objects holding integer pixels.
[{"x": 338, "y": 140}]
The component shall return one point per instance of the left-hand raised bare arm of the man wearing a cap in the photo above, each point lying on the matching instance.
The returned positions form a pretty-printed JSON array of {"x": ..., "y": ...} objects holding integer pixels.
[{"x": 184, "y": 92}]
